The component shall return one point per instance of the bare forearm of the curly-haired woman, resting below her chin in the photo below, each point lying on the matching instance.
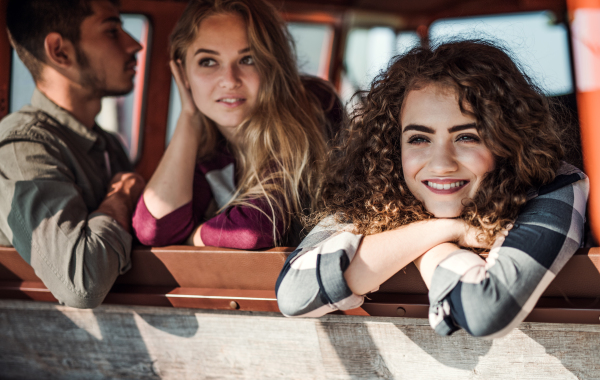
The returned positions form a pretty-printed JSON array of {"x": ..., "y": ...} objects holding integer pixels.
[{"x": 380, "y": 256}]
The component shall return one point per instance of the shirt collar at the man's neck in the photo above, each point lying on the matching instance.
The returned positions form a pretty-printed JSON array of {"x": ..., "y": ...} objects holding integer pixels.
[{"x": 87, "y": 137}]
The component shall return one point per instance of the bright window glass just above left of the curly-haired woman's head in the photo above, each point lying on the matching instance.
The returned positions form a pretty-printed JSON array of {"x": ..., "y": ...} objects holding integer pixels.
[{"x": 368, "y": 52}]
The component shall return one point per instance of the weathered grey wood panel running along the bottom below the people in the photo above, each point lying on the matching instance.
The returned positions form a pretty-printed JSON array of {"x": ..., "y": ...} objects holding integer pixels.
[{"x": 46, "y": 341}]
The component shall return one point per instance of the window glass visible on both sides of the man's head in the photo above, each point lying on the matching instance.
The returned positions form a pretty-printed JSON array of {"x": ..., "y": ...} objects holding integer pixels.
[{"x": 122, "y": 114}]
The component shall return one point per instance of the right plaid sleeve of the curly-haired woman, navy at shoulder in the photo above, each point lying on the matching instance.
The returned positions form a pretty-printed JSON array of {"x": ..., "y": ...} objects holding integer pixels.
[{"x": 488, "y": 298}]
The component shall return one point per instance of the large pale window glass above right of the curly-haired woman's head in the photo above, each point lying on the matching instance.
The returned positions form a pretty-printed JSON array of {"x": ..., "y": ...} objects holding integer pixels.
[{"x": 536, "y": 42}]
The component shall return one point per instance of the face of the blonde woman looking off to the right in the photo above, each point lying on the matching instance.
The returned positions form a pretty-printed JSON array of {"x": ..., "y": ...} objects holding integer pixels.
[{"x": 220, "y": 72}]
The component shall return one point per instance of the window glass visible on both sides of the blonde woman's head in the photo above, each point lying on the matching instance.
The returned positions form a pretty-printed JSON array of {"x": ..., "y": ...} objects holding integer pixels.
[{"x": 313, "y": 47}]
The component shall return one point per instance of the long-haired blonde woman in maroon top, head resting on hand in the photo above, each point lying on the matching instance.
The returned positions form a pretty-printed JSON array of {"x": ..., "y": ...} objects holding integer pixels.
[{"x": 244, "y": 156}]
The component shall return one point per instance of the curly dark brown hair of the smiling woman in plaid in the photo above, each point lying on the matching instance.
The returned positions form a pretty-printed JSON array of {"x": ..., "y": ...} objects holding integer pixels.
[{"x": 364, "y": 181}]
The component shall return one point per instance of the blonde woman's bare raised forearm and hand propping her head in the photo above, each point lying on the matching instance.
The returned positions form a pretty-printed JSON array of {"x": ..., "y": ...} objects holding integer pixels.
[{"x": 171, "y": 185}]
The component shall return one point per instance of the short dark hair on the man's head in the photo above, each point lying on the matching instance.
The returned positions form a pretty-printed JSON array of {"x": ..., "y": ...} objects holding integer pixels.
[{"x": 30, "y": 21}]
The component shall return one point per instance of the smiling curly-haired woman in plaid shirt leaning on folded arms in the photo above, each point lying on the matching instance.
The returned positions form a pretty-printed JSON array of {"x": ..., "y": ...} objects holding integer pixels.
[{"x": 454, "y": 150}]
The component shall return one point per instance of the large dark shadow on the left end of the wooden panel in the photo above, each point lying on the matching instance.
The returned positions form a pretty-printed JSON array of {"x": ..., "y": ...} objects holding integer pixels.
[{"x": 99, "y": 345}]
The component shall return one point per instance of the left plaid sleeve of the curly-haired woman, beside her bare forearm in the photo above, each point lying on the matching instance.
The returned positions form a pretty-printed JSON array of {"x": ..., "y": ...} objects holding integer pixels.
[{"x": 312, "y": 281}]
